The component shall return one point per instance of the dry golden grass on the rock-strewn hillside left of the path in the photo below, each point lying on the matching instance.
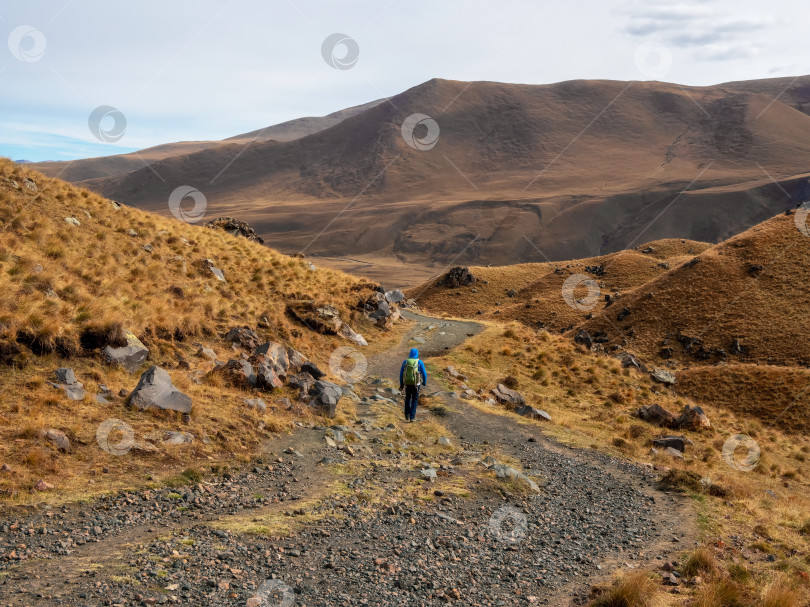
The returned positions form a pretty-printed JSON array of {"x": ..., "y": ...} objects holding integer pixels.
[{"x": 66, "y": 290}]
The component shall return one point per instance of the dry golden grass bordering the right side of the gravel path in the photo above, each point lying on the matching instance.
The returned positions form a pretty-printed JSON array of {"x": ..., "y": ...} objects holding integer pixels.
[{"x": 590, "y": 399}]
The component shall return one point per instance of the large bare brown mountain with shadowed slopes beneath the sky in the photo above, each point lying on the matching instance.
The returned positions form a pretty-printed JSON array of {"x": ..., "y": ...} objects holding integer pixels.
[{"x": 519, "y": 173}]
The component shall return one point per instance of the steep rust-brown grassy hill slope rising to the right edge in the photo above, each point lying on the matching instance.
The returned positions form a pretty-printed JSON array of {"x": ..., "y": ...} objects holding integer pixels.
[{"x": 751, "y": 288}]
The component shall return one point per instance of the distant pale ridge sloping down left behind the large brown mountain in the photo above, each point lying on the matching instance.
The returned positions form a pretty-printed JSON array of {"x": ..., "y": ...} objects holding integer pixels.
[{"x": 109, "y": 166}]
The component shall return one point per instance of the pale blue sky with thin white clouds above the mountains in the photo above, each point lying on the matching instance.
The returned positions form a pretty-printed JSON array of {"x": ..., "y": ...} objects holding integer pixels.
[{"x": 82, "y": 78}]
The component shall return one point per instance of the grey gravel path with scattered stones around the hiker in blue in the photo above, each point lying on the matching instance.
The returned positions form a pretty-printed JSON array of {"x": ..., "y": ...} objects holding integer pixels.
[{"x": 378, "y": 514}]
